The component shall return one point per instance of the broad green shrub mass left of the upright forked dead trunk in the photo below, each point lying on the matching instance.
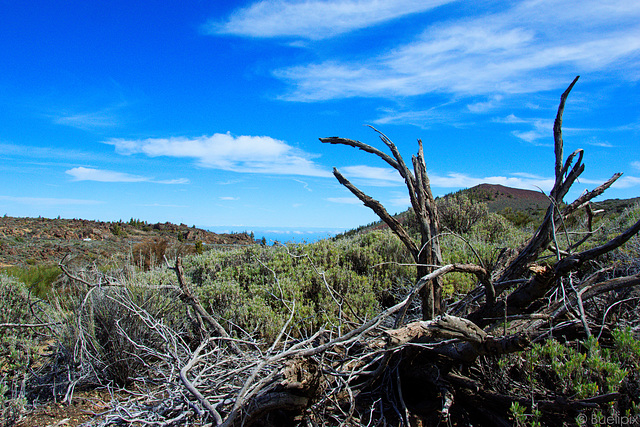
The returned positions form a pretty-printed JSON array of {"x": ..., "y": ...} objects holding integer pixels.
[{"x": 332, "y": 283}]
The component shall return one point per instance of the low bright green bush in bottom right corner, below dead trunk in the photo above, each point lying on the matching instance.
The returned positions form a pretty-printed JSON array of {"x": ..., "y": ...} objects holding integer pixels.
[{"x": 577, "y": 370}]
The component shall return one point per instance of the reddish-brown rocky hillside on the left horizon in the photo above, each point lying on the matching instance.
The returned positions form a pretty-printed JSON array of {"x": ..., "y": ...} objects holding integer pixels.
[{"x": 43, "y": 240}]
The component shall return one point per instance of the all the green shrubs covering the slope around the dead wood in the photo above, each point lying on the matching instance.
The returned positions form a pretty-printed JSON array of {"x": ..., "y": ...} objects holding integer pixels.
[{"x": 100, "y": 328}]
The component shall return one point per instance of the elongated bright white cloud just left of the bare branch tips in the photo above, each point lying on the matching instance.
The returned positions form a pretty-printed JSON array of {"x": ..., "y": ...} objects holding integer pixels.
[{"x": 248, "y": 154}]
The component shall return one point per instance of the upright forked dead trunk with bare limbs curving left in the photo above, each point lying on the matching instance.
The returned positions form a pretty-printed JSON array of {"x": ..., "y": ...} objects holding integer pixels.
[{"x": 427, "y": 254}]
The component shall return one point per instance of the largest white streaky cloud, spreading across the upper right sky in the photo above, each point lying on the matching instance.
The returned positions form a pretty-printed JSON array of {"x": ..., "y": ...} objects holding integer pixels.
[{"x": 535, "y": 45}]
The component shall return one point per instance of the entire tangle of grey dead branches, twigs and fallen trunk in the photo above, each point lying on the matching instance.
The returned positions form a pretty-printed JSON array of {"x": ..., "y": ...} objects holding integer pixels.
[{"x": 391, "y": 369}]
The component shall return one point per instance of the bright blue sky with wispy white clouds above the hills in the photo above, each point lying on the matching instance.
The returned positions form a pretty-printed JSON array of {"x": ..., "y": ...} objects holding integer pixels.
[{"x": 209, "y": 112}]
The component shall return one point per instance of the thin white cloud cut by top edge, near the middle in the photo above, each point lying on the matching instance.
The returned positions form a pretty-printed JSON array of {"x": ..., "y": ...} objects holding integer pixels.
[{"x": 315, "y": 19}]
